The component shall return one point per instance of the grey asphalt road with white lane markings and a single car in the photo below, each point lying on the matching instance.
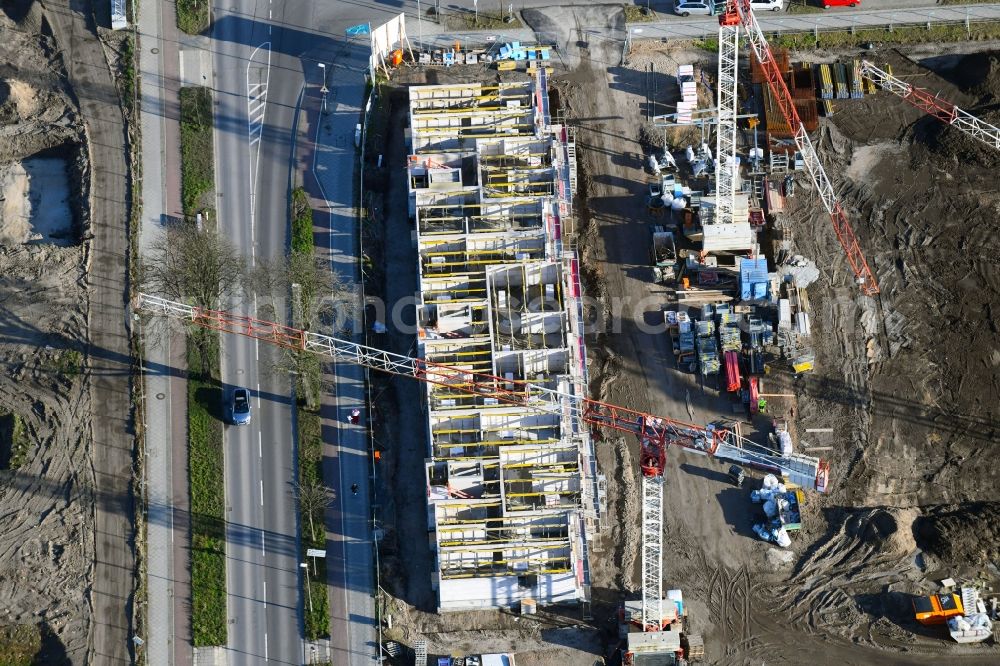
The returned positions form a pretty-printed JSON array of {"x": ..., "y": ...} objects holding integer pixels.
[{"x": 255, "y": 92}]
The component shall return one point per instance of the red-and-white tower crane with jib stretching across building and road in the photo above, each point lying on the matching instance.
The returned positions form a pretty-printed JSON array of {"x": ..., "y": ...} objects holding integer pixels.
[{"x": 655, "y": 433}]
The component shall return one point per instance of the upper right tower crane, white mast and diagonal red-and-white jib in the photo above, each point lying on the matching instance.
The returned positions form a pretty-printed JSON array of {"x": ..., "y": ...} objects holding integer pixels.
[{"x": 738, "y": 13}]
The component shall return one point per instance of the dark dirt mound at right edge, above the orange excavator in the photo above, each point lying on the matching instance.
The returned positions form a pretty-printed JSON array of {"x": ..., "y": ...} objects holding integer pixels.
[{"x": 962, "y": 533}]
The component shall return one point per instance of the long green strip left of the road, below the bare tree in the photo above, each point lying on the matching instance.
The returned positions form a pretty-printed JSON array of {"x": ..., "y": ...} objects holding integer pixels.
[{"x": 205, "y": 464}]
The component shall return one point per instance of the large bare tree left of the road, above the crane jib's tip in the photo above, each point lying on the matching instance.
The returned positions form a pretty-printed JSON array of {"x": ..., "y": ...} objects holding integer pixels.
[{"x": 196, "y": 267}]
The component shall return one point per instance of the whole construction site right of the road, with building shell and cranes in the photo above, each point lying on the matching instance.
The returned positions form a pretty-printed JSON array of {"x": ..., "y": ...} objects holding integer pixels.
[{"x": 754, "y": 258}]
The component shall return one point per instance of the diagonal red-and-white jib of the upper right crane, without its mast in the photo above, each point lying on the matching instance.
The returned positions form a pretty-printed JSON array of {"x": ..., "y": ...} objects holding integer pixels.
[{"x": 740, "y": 10}]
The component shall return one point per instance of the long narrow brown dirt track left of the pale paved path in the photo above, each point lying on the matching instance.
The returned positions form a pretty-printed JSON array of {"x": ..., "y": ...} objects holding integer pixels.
[{"x": 89, "y": 75}]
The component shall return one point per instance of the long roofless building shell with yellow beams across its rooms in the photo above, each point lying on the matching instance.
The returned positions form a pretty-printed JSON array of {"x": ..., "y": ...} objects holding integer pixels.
[{"x": 513, "y": 495}]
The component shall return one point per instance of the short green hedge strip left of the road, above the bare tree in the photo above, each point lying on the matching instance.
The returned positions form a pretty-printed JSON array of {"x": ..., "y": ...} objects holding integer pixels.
[{"x": 197, "y": 158}]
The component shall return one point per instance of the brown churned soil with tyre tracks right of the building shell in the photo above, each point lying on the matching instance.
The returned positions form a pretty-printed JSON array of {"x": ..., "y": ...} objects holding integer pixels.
[{"x": 906, "y": 381}]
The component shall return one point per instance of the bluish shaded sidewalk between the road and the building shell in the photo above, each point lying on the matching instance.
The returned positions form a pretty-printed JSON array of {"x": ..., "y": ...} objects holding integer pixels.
[{"x": 328, "y": 161}]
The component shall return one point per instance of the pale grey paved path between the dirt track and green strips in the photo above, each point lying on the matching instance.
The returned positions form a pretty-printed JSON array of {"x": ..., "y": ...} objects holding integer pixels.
[{"x": 168, "y": 622}]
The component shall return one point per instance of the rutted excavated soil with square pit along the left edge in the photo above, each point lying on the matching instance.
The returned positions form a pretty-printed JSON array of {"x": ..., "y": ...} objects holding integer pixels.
[{"x": 46, "y": 526}]
